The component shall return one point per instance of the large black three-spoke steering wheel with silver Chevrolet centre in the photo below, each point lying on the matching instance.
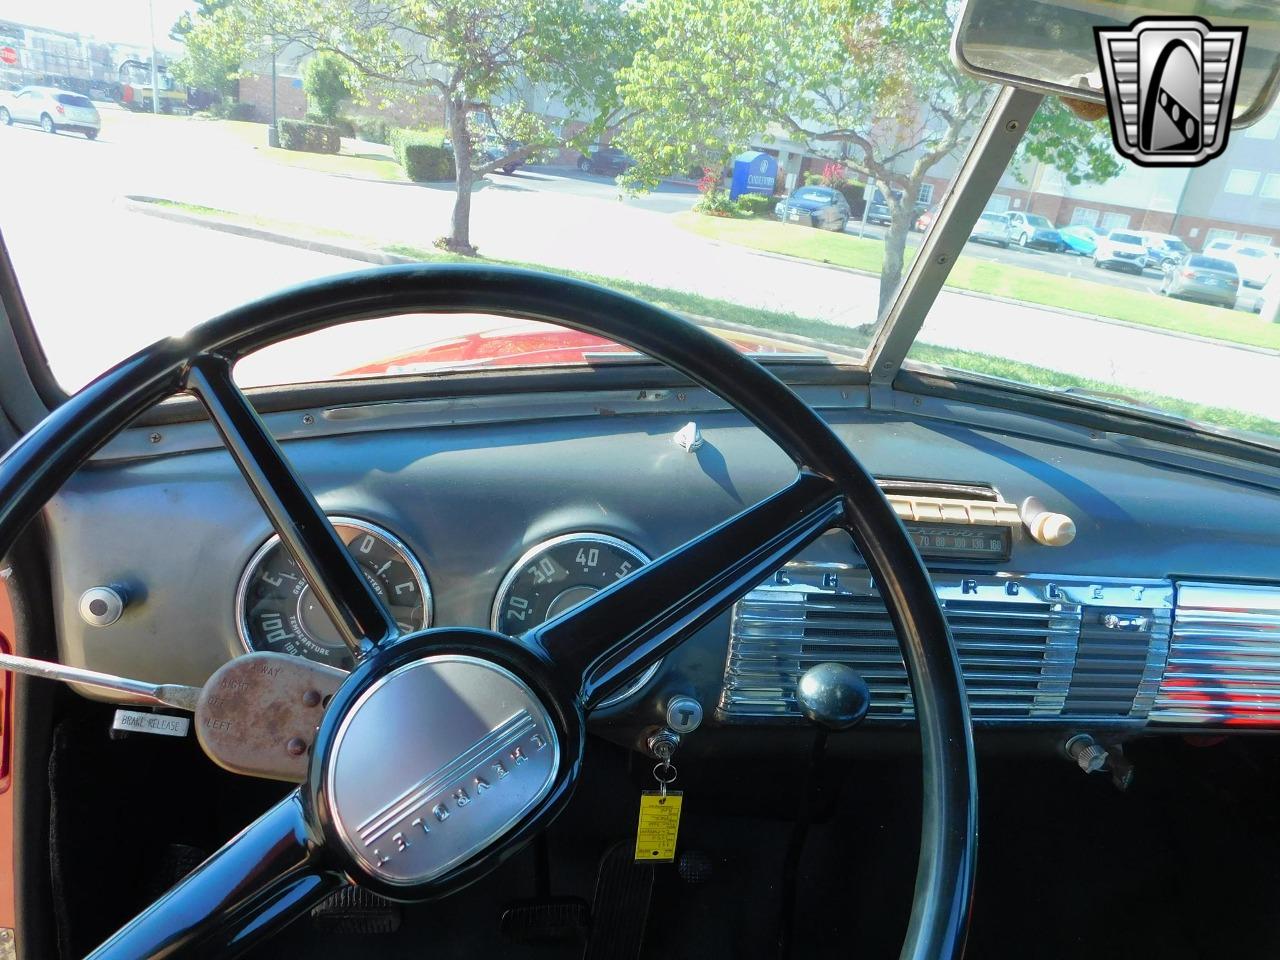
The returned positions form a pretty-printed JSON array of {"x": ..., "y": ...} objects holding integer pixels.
[{"x": 447, "y": 749}]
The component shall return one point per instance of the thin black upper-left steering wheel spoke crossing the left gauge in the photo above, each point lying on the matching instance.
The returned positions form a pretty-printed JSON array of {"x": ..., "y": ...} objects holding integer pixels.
[{"x": 340, "y": 587}]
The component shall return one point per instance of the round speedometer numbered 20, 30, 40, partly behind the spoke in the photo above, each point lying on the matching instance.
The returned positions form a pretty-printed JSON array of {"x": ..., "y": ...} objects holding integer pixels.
[{"x": 556, "y": 577}]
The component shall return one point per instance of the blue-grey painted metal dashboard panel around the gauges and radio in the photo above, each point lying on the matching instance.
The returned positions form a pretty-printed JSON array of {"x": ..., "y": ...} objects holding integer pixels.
[{"x": 177, "y": 528}]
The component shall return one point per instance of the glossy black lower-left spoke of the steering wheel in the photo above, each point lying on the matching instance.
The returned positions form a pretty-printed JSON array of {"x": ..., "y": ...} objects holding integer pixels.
[{"x": 262, "y": 880}]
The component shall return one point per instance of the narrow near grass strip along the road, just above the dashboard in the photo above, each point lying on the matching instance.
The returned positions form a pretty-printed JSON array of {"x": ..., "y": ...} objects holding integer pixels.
[{"x": 852, "y": 339}]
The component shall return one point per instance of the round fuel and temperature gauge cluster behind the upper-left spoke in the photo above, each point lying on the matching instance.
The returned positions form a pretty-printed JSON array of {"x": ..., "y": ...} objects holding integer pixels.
[{"x": 277, "y": 611}]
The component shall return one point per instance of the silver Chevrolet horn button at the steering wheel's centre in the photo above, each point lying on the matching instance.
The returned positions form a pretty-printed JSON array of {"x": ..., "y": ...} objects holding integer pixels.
[{"x": 435, "y": 762}]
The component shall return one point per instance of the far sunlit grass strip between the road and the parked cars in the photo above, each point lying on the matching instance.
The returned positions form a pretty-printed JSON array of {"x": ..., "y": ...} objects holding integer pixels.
[{"x": 1000, "y": 280}]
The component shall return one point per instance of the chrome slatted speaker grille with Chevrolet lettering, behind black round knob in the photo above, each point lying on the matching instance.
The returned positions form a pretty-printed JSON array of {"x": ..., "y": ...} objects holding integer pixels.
[{"x": 1018, "y": 641}]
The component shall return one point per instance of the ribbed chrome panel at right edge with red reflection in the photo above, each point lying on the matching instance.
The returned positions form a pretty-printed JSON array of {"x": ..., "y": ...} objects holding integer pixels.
[{"x": 1224, "y": 659}]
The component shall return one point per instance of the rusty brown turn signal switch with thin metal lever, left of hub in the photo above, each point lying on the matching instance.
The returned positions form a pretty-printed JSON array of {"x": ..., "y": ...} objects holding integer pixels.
[{"x": 257, "y": 715}]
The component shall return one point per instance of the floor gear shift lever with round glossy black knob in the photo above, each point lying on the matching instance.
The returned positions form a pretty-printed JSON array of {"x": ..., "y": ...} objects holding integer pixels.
[{"x": 831, "y": 697}]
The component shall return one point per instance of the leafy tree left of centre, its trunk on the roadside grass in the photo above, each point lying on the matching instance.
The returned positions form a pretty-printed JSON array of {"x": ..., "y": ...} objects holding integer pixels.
[{"x": 482, "y": 61}]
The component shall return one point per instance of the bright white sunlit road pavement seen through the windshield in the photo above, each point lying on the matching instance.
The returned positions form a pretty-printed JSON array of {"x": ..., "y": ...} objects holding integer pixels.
[{"x": 103, "y": 282}]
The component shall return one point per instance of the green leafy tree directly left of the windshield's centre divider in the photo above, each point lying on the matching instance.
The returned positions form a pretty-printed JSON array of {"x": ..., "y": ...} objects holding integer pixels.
[{"x": 868, "y": 83}]
